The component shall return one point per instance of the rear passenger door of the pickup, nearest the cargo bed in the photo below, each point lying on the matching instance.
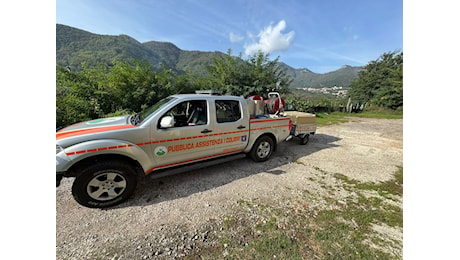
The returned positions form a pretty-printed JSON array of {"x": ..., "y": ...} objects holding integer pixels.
[{"x": 233, "y": 125}]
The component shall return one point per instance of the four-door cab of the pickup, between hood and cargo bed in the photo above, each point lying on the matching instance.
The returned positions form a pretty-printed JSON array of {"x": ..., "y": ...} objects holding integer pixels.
[{"x": 196, "y": 128}]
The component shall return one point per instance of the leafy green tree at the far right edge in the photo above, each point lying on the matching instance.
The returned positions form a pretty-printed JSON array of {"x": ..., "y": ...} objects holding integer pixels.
[{"x": 380, "y": 83}]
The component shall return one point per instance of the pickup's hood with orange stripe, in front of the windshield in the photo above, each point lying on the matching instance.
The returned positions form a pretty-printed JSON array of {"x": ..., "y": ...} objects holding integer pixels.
[{"x": 94, "y": 126}]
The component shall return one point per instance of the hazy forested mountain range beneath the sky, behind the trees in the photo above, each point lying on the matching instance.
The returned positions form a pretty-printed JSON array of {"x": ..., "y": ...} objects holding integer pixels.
[{"x": 75, "y": 46}]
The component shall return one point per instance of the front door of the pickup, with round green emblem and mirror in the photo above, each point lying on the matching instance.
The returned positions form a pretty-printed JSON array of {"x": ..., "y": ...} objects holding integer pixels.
[{"x": 189, "y": 140}]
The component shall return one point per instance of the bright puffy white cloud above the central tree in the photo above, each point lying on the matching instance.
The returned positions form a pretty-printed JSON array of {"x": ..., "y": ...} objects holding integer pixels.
[{"x": 271, "y": 39}]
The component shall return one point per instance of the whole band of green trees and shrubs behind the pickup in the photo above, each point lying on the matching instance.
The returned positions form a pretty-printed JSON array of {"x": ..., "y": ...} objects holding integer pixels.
[{"x": 122, "y": 88}]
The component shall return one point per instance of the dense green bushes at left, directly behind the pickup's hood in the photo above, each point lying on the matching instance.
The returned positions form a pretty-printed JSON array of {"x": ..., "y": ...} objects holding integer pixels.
[{"x": 103, "y": 90}]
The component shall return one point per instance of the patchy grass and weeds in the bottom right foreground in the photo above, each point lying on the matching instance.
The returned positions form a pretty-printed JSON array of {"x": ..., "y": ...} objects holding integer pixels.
[{"x": 294, "y": 230}]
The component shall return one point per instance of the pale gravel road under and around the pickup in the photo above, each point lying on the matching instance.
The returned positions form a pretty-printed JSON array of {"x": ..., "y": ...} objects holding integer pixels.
[{"x": 174, "y": 216}]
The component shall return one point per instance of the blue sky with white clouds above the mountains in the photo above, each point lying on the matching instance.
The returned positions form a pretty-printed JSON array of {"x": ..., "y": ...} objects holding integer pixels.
[{"x": 320, "y": 35}]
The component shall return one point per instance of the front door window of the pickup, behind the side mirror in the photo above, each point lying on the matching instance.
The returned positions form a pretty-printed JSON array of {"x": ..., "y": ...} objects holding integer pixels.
[{"x": 189, "y": 113}]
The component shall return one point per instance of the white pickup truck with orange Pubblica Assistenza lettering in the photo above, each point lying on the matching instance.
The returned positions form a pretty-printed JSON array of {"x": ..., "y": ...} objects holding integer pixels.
[{"x": 179, "y": 133}]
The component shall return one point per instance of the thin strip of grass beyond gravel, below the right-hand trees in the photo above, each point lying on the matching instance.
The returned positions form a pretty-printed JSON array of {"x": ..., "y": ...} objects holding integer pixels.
[{"x": 341, "y": 117}]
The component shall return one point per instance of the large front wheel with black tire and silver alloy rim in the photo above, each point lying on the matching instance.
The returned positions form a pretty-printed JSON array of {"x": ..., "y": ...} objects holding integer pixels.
[{"x": 104, "y": 184}]
